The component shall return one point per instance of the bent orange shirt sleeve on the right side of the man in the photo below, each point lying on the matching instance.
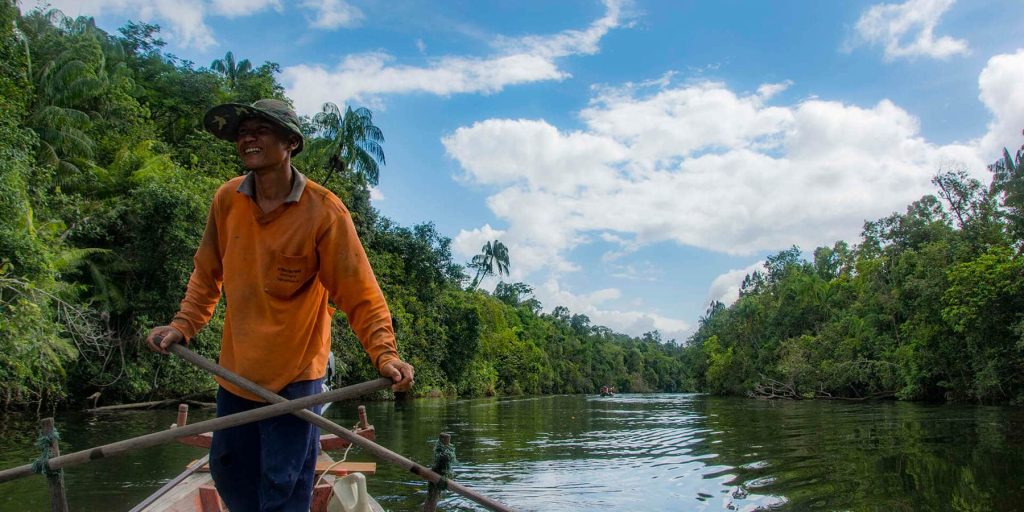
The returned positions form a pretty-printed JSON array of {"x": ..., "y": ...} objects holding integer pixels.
[{"x": 346, "y": 272}]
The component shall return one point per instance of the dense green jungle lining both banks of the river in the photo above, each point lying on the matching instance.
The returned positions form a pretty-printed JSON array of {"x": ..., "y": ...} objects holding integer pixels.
[{"x": 107, "y": 176}]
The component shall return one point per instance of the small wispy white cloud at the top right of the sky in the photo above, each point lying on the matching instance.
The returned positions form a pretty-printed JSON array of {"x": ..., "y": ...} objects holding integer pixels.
[{"x": 908, "y": 30}]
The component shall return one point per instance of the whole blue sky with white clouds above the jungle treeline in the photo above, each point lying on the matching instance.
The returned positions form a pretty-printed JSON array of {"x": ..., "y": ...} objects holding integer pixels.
[{"x": 638, "y": 158}]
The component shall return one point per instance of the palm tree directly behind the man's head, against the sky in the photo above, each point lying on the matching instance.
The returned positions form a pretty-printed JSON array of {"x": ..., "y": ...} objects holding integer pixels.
[{"x": 354, "y": 142}]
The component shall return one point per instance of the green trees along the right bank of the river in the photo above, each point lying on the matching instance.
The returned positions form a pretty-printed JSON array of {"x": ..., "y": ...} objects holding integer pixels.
[{"x": 927, "y": 307}]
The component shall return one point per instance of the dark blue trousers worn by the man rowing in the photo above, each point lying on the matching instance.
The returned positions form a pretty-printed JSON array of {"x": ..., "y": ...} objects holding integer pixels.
[{"x": 268, "y": 465}]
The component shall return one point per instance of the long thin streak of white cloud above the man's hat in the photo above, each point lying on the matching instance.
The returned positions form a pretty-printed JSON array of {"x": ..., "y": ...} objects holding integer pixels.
[{"x": 518, "y": 61}]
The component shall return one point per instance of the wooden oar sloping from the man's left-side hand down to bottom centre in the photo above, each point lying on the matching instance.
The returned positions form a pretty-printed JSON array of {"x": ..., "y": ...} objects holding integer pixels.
[{"x": 334, "y": 429}]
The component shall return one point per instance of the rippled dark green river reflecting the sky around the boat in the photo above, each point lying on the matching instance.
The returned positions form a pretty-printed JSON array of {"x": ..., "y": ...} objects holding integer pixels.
[{"x": 631, "y": 452}]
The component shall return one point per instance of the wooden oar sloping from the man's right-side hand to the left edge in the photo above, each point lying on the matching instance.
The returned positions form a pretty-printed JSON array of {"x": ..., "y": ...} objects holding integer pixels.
[{"x": 278, "y": 409}]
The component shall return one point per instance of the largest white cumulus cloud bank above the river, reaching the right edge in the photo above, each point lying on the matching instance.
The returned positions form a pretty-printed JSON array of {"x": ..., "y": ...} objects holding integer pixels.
[{"x": 706, "y": 166}]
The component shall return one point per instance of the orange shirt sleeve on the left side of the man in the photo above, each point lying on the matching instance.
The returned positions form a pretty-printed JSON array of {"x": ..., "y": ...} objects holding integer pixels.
[{"x": 204, "y": 285}]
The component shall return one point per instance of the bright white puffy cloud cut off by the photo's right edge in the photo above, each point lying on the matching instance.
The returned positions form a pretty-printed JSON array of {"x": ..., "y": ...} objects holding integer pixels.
[{"x": 1002, "y": 92}]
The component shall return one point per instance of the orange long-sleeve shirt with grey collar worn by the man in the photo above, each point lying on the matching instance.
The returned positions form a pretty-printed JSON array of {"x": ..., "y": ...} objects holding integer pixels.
[{"x": 278, "y": 271}]
